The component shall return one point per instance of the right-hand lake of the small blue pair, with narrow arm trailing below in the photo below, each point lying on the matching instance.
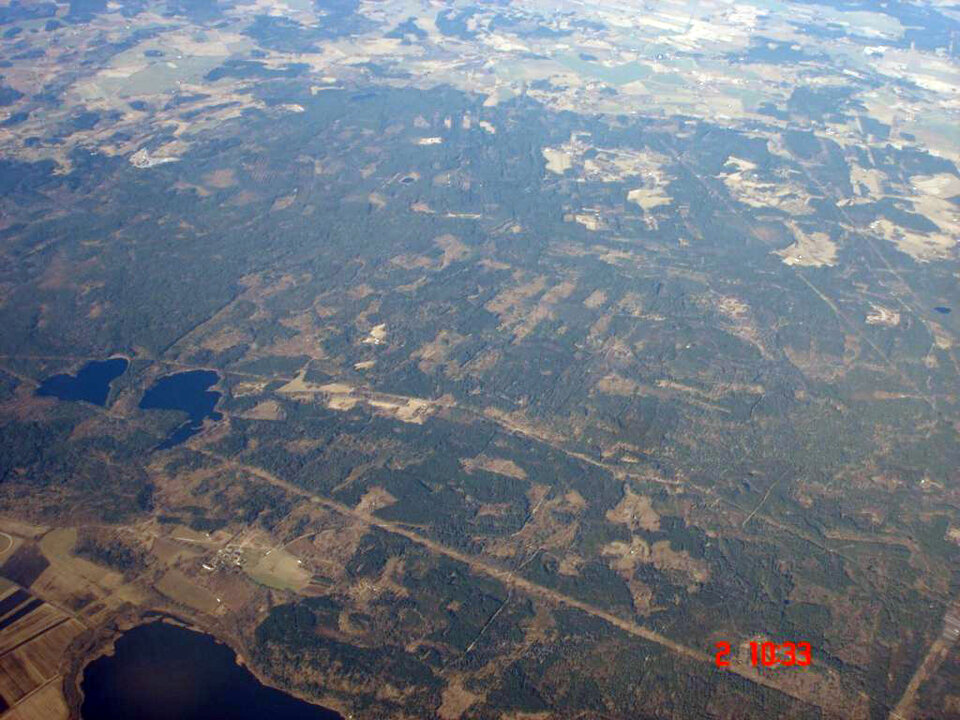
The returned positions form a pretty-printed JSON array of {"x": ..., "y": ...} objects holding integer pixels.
[{"x": 187, "y": 392}]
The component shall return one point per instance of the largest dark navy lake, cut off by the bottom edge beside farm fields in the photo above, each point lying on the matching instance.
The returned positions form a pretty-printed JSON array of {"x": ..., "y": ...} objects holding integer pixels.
[{"x": 166, "y": 672}]
